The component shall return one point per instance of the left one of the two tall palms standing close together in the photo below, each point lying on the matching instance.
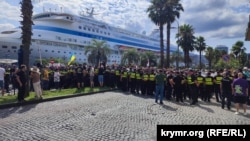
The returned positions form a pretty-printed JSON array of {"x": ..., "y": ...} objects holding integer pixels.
[{"x": 157, "y": 14}]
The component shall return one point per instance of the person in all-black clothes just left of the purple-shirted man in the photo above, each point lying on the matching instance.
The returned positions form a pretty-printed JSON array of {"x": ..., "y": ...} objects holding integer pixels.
[{"x": 226, "y": 90}]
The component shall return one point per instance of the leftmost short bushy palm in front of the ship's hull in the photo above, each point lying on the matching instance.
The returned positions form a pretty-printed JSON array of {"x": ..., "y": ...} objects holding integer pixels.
[{"x": 98, "y": 52}]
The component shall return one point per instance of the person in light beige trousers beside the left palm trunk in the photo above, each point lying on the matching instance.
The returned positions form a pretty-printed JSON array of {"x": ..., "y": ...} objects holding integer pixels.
[{"x": 35, "y": 77}]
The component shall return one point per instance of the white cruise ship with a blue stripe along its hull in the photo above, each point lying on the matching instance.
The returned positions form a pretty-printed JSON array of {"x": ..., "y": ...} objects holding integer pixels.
[{"x": 58, "y": 34}]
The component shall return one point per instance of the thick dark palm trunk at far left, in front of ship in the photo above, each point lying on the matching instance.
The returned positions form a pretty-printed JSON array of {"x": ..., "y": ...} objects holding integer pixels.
[{"x": 26, "y": 26}]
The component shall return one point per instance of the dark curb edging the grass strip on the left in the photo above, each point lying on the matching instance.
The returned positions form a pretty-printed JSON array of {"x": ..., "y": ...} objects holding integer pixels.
[{"x": 16, "y": 104}]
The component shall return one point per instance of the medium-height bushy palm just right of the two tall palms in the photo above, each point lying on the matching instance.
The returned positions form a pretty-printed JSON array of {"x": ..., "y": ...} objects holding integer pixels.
[{"x": 186, "y": 41}]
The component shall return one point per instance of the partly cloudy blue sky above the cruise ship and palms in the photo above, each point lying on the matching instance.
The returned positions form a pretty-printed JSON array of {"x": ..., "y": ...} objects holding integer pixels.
[{"x": 220, "y": 22}]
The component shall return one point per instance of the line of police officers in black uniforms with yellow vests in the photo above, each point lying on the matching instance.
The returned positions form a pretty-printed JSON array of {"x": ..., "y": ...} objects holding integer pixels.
[{"x": 179, "y": 85}]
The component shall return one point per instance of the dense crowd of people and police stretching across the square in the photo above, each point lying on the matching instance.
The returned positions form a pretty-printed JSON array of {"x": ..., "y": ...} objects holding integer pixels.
[{"x": 172, "y": 84}]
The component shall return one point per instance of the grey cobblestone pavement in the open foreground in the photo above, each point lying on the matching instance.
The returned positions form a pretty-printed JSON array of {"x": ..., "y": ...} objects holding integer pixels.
[{"x": 109, "y": 116}]
